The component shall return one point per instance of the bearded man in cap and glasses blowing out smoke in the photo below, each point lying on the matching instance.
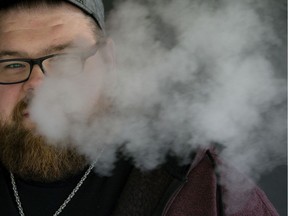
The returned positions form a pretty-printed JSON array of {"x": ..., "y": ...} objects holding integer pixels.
[{"x": 37, "y": 178}]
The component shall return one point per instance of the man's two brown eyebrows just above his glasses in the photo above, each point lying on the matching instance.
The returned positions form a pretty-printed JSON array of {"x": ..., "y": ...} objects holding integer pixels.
[{"x": 50, "y": 50}]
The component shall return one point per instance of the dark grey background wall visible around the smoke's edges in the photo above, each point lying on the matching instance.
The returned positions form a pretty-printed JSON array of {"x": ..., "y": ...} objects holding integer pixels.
[{"x": 273, "y": 183}]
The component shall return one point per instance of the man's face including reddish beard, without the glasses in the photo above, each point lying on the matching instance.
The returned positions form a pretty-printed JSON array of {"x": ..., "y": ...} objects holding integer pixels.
[{"x": 33, "y": 33}]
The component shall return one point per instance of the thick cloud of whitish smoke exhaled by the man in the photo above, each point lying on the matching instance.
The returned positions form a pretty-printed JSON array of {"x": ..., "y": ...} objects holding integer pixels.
[{"x": 188, "y": 74}]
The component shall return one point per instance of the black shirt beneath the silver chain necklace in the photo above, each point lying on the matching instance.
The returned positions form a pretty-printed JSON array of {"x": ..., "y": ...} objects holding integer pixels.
[{"x": 97, "y": 196}]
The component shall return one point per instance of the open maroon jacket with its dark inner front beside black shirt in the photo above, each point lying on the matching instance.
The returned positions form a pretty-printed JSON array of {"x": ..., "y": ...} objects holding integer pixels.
[{"x": 190, "y": 191}]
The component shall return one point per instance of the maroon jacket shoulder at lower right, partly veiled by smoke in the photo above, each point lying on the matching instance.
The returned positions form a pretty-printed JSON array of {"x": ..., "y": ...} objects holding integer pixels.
[{"x": 207, "y": 192}]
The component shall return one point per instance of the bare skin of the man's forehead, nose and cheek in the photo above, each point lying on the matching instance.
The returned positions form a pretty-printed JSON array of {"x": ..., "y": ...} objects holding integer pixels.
[{"x": 33, "y": 33}]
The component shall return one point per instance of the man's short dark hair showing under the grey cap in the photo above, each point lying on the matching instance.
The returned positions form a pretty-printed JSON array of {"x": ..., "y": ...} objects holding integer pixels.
[{"x": 29, "y": 4}]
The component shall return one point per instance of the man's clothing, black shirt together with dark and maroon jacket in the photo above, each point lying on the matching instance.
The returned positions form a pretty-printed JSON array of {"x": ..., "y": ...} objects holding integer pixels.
[{"x": 171, "y": 190}]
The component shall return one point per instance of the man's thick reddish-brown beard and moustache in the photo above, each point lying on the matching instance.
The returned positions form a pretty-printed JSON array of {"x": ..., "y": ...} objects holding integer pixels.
[{"x": 31, "y": 157}]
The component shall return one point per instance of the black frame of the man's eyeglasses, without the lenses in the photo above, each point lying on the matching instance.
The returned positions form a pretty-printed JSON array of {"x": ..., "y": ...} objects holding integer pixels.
[{"x": 39, "y": 61}]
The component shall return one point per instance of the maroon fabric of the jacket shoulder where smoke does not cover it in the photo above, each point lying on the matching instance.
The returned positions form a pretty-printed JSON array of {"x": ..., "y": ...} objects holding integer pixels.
[{"x": 201, "y": 195}]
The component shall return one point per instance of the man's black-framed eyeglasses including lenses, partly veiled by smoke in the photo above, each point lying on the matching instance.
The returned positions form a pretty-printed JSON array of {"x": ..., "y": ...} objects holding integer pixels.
[{"x": 18, "y": 70}]
